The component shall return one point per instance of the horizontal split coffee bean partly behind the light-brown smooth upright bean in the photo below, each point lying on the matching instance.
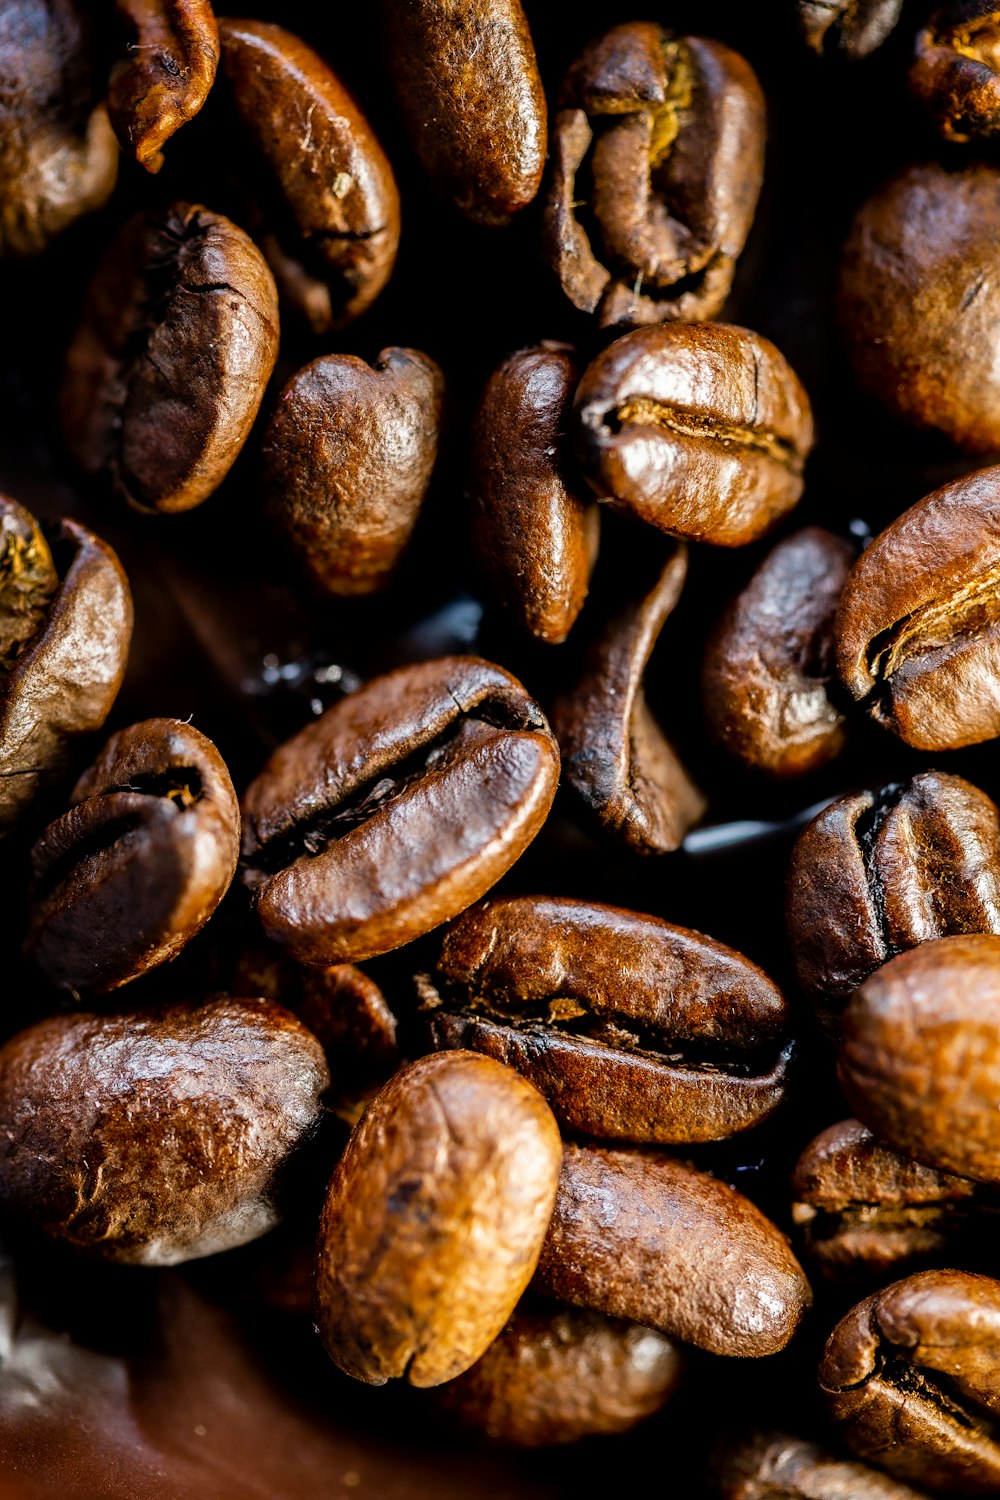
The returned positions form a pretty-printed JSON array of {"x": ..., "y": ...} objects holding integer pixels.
[{"x": 633, "y": 1030}]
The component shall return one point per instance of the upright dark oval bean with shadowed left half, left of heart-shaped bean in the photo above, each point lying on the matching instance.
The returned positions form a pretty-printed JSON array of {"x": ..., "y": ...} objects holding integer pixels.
[{"x": 169, "y": 365}]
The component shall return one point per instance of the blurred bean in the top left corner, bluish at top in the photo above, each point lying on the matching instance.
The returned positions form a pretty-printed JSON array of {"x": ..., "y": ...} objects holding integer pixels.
[{"x": 59, "y": 157}]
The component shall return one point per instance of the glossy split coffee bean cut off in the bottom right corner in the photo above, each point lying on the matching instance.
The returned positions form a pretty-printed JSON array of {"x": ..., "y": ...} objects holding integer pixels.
[{"x": 912, "y": 1379}]
